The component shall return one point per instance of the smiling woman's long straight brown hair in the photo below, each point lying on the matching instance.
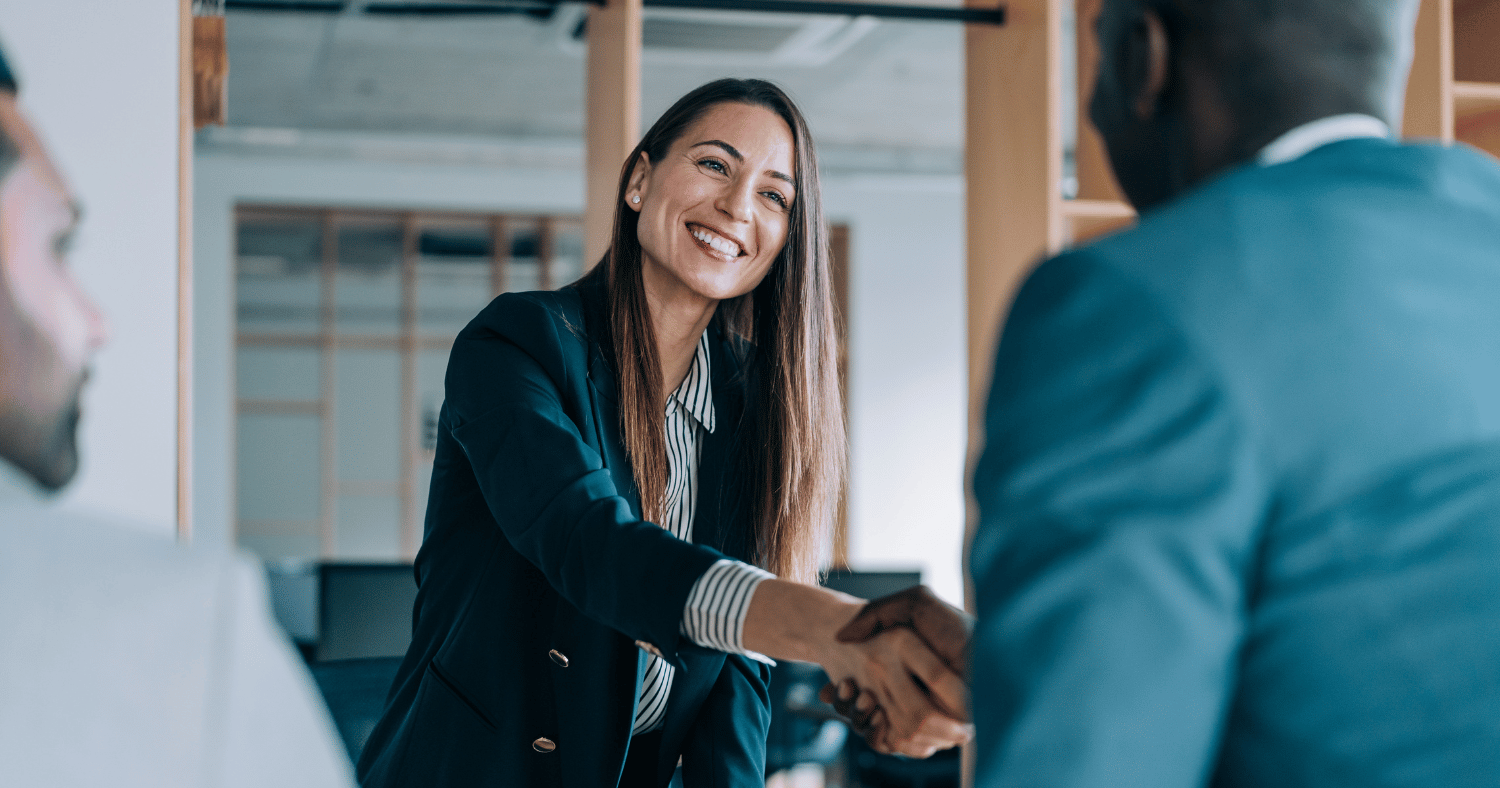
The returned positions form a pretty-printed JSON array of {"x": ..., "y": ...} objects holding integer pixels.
[{"x": 793, "y": 448}]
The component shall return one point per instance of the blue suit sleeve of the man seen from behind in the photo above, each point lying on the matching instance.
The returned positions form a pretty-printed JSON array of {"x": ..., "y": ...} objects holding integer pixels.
[{"x": 1120, "y": 504}]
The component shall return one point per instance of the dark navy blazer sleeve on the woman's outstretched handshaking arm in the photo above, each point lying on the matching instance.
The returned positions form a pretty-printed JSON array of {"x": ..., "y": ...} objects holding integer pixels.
[{"x": 548, "y": 489}]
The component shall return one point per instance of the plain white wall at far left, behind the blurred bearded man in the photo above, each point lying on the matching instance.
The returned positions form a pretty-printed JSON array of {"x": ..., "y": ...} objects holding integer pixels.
[{"x": 100, "y": 80}]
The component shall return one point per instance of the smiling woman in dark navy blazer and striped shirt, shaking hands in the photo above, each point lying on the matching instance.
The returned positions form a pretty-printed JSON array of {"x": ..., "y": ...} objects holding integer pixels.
[{"x": 623, "y": 469}]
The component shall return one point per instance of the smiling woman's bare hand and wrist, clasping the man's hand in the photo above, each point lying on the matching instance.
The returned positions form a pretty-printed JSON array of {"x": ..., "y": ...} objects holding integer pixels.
[{"x": 922, "y": 700}]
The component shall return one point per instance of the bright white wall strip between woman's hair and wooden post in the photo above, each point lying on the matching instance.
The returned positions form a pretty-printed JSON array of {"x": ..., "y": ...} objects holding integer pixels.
[{"x": 907, "y": 373}]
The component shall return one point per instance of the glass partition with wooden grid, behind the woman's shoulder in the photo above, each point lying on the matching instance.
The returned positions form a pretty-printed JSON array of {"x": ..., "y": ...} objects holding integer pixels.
[{"x": 344, "y": 326}]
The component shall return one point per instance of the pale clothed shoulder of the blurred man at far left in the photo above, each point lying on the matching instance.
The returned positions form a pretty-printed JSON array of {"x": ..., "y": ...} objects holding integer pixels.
[{"x": 107, "y": 622}]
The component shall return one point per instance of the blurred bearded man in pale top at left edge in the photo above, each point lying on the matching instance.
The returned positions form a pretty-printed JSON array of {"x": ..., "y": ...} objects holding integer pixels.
[{"x": 125, "y": 660}]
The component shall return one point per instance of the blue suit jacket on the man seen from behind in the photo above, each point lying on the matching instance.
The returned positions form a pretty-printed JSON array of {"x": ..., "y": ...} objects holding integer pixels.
[{"x": 1241, "y": 492}]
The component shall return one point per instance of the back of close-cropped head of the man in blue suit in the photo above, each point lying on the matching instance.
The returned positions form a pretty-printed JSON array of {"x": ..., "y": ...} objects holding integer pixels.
[{"x": 1189, "y": 88}]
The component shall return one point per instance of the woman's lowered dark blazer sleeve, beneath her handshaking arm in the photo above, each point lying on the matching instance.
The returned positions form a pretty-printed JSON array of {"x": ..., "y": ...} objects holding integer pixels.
[{"x": 727, "y": 745}]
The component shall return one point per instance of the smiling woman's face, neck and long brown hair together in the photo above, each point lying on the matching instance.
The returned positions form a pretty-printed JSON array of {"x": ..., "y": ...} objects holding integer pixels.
[{"x": 718, "y": 181}]
